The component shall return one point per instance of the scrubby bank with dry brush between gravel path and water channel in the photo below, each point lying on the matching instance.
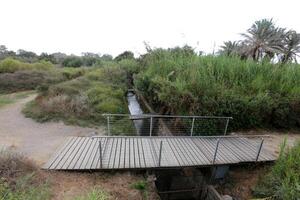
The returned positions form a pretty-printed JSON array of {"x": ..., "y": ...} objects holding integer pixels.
[{"x": 82, "y": 100}]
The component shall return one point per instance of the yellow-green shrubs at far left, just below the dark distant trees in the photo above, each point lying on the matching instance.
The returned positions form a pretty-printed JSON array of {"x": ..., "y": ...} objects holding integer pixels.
[{"x": 10, "y": 65}]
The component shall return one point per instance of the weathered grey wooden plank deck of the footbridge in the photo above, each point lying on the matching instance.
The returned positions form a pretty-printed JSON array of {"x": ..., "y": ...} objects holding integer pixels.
[{"x": 83, "y": 153}]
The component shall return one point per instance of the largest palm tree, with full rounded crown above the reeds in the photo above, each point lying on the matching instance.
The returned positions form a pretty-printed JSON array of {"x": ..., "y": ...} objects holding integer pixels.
[{"x": 263, "y": 39}]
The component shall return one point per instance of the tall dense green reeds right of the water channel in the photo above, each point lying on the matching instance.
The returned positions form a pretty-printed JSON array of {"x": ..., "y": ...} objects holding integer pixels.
[{"x": 254, "y": 94}]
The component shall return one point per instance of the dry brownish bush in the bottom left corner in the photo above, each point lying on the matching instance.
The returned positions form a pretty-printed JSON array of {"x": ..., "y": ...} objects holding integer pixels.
[{"x": 20, "y": 179}]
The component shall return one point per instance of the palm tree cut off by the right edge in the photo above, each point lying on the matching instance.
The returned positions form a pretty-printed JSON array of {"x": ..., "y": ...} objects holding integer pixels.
[{"x": 292, "y": 46}]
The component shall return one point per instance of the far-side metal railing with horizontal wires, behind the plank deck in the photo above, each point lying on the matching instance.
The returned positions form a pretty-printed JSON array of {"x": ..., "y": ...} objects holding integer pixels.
[{"x": 177, "y": 125}]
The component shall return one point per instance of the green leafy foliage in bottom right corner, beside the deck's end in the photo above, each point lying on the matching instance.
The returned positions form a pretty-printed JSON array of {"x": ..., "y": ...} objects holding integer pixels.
[{"x": 284, "y": 179}]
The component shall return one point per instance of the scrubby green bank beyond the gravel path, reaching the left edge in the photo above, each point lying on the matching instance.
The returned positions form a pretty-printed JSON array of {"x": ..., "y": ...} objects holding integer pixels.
[{"x": 18, "y": 76}]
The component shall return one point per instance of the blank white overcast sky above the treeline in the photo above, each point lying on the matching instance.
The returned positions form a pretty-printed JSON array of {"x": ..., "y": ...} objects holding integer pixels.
[{"x": 75, "y": 26}]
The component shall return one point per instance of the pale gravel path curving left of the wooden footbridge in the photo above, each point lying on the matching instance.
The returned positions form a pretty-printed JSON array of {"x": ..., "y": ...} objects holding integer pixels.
[{"x": 37, "y": 141}]
